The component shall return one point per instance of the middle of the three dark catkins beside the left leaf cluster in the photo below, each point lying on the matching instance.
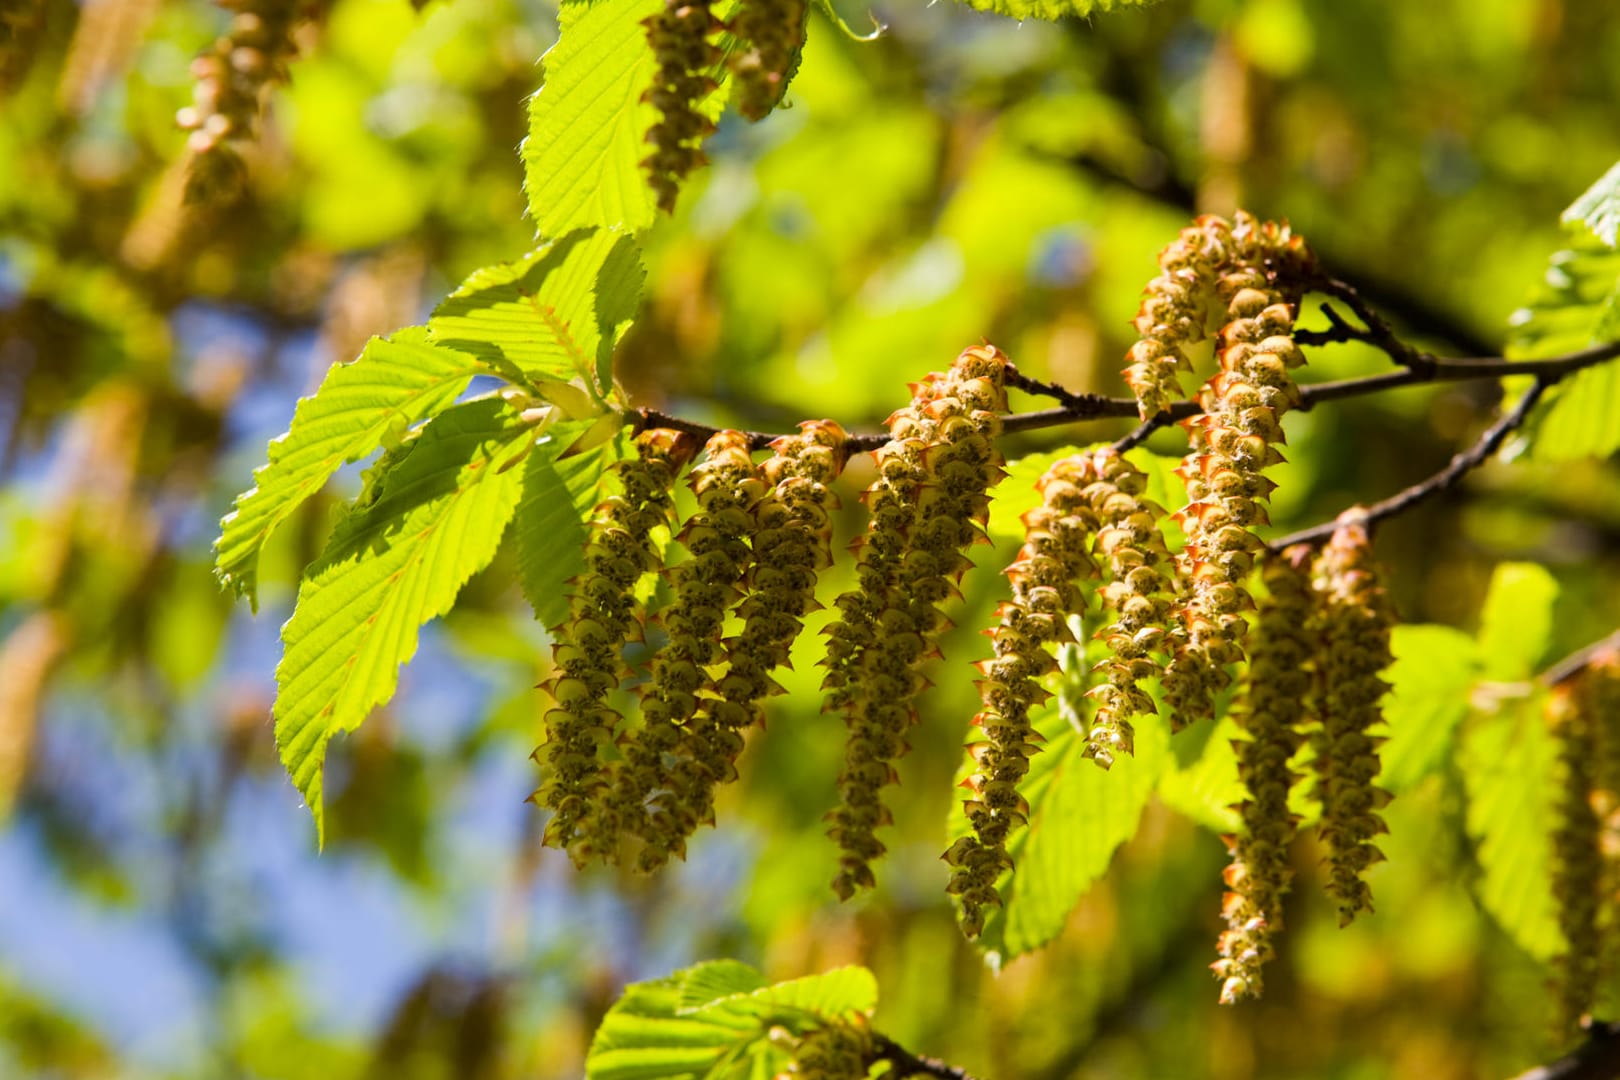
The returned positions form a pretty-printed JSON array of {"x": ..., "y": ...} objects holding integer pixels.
[{"x": 673, "y": 763}]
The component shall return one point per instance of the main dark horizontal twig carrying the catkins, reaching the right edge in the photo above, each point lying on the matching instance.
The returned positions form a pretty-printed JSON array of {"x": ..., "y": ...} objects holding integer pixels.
[{"x": 1088, "y": 407}]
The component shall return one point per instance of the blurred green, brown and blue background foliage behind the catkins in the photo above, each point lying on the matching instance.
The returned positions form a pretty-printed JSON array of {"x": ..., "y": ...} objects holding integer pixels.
[{"x": 163, "y": 908}]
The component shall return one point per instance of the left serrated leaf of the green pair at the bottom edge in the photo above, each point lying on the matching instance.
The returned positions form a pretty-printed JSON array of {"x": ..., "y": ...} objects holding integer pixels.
[{"x": 644, "y": 1037}]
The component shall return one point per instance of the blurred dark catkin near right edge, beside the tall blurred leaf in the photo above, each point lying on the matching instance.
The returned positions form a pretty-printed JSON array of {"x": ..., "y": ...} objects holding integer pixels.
[{"x": 1577, "y": 859}]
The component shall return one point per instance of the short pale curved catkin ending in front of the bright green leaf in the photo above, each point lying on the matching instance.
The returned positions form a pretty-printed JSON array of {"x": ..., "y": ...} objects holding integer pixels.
[{"x": 1140, "y": 595}]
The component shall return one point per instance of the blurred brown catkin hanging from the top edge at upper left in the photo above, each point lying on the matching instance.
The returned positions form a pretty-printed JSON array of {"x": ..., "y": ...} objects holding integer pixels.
[{"x": 232, "y": 79}]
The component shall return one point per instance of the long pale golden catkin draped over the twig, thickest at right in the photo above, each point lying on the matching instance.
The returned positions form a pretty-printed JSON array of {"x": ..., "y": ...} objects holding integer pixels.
[{"x": 1263, "y": 271}]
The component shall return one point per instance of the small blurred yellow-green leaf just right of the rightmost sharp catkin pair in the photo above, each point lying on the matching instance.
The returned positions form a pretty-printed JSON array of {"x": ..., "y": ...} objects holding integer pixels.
[{"x": 1430, "y": 682}]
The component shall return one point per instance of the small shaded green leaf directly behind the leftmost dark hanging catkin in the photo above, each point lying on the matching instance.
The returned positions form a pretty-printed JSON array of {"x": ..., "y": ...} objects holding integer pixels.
[{"x": 552, "y": 522}]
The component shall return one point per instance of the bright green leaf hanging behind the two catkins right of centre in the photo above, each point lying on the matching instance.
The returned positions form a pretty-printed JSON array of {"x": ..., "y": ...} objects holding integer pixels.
[{"x": 1078, "y": 819}]
